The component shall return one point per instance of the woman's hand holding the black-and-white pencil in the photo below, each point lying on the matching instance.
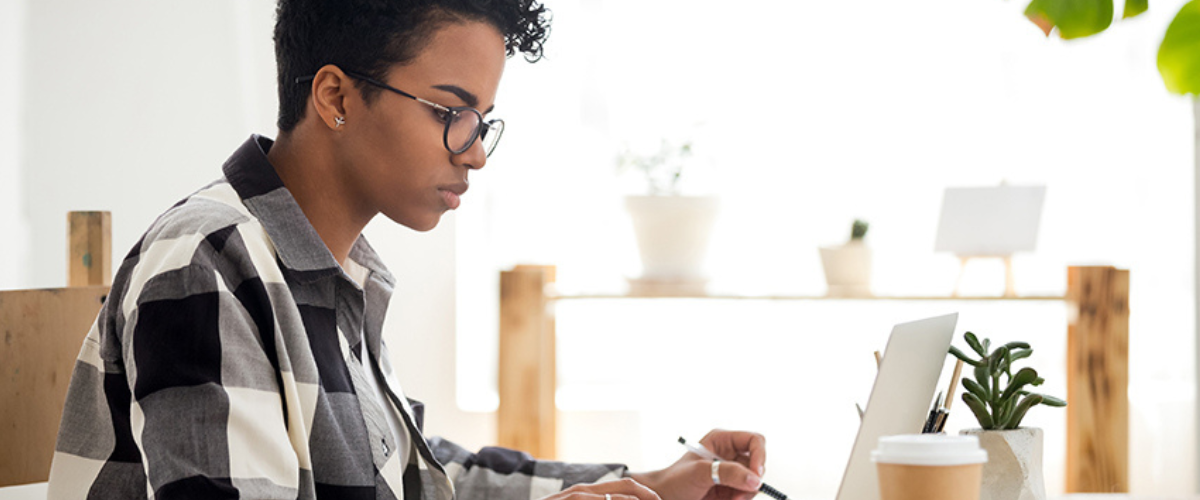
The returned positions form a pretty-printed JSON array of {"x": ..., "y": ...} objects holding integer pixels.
[{"x": 745, "y": 459}]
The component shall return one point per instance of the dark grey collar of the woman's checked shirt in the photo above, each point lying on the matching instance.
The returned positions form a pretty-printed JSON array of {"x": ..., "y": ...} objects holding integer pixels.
[{"x": 297, "y": 243}]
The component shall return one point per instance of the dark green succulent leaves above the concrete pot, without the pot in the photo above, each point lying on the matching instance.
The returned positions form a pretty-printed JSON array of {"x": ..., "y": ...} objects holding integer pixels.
[{"x": 997, "y": 396}]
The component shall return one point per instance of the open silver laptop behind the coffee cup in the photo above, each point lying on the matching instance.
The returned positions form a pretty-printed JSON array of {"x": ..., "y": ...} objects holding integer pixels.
[{"x": 901, "y": 397}]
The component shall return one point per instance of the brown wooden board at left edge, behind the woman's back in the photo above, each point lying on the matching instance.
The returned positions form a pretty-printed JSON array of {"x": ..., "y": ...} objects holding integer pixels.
[{"x": 41, "y": 333}]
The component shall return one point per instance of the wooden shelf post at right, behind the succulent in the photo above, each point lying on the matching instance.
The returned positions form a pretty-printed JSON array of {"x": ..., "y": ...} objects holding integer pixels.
[{"x": 1097, "y": 382}]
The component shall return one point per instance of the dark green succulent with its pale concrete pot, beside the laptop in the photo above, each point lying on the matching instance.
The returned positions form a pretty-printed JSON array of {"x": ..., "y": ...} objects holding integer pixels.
[{"x": 1000, "y": 400}]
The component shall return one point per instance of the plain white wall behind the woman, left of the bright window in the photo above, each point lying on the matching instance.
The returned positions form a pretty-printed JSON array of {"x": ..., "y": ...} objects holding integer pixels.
[{"x": 130, "y": 106}]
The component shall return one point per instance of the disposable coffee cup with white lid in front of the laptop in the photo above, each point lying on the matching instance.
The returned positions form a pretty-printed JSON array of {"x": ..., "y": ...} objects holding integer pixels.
[{"x": 929, "y": 467}]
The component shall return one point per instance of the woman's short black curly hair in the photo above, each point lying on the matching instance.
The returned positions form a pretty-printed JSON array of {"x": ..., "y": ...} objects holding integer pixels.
[{"x": 370, "y": 37}]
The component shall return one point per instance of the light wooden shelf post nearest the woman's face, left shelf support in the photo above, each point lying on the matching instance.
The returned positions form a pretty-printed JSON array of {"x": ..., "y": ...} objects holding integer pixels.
[{"x": 527, "y": 415}]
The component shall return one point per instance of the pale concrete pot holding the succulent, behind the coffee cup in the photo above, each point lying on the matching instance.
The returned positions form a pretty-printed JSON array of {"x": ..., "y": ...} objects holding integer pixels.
[{"x": 1015, "y": 465}]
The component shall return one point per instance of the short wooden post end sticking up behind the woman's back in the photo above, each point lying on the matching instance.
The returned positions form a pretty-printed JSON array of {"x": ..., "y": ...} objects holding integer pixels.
[{"x": 91, "y": 237}]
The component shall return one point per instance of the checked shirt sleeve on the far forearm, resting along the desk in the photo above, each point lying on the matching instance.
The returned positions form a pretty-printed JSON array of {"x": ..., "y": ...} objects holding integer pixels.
[{"x": 496, "y": 473}]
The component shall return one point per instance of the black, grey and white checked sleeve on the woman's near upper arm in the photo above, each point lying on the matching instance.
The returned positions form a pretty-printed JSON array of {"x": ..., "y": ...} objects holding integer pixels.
[{"x": 207, "y": 406}]
